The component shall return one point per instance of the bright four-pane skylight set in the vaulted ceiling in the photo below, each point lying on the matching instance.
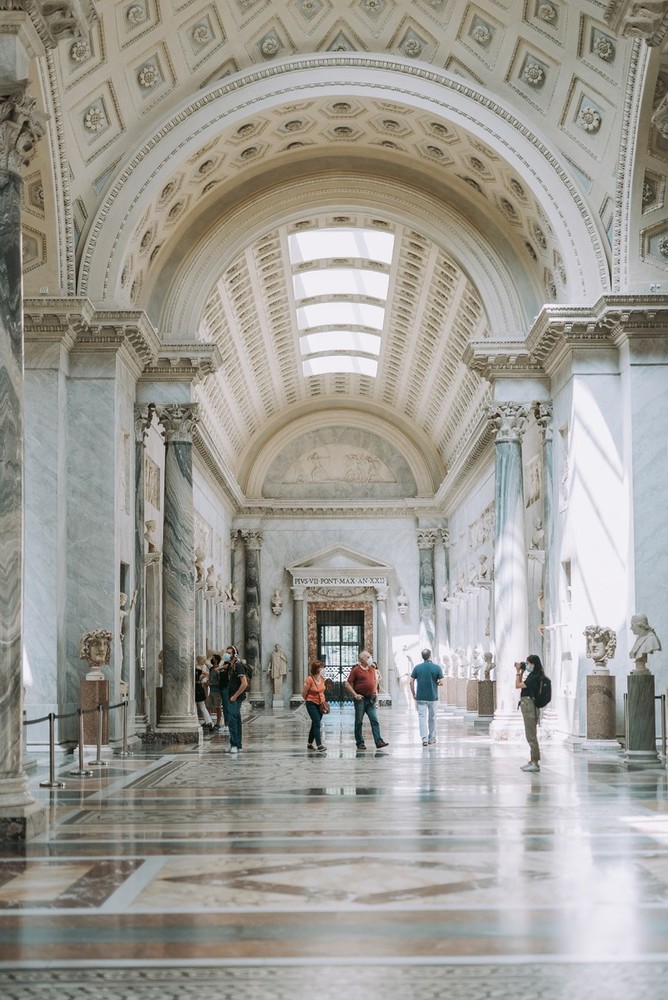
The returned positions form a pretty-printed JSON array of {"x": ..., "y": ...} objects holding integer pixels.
[{"x": 340, "y": 282}]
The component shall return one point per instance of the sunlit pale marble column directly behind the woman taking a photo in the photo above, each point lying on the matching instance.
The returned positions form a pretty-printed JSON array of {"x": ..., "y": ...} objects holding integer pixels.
[{"x": 510, "y": 574}]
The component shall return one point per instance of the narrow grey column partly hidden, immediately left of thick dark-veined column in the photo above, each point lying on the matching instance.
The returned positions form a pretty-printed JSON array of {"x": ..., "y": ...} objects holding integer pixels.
[{"x": 143, "y": 419}]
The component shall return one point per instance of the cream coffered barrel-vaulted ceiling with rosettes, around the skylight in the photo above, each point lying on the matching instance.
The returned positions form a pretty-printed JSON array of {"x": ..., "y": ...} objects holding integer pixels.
[{"x": 191, "y": 139}]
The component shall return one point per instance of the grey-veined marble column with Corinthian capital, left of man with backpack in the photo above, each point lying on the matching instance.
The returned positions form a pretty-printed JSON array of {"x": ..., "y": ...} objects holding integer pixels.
[{"x": 178, "y": 720}]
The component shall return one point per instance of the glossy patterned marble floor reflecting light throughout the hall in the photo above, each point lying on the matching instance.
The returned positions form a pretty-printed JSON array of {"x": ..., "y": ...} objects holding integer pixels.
[{"x": 424, "y": 872}]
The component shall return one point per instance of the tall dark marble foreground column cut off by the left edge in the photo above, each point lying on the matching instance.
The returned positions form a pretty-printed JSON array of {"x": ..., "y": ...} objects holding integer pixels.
[{"x": 20, "y": 129}]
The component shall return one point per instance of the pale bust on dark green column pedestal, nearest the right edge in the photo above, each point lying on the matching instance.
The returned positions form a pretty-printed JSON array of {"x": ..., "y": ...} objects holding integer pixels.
[{"x": 640, "y": 712}]
